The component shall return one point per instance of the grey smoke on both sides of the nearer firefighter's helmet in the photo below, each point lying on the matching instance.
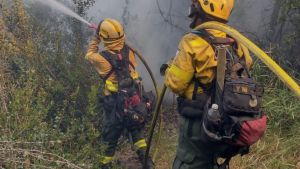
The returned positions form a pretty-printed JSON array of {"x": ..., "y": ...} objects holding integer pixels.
[{"x": 156, "y": 27}]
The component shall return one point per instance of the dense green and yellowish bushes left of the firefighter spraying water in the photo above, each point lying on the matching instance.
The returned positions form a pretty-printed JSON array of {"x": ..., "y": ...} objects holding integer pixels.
[{"x": 49, "y": 92}]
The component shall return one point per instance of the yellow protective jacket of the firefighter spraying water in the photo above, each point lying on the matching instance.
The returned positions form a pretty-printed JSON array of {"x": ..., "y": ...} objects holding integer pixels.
[{"x": 103, "y": 67}]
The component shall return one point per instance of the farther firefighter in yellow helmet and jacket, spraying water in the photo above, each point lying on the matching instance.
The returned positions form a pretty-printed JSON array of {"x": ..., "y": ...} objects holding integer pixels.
[{"x": 116, "y": 66}]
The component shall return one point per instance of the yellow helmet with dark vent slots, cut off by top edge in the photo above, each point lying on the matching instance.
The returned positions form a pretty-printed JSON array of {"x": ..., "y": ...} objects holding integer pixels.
[{"x": 219, "y": 9}]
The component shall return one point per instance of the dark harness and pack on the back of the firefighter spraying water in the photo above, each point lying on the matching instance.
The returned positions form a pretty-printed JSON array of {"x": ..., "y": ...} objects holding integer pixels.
[{"x": 130, "y": 106}]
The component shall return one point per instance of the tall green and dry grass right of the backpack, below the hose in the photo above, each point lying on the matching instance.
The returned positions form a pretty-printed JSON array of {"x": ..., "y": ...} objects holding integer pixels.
[{"x": 280, "y": 146}]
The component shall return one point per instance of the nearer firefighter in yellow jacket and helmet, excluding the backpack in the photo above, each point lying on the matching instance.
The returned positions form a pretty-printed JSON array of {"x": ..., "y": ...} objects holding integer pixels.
[{"x": 191, "y": 75}]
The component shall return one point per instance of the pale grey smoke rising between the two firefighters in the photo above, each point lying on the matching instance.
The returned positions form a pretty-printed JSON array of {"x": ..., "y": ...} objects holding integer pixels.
[{"x": 146, "y": 28}]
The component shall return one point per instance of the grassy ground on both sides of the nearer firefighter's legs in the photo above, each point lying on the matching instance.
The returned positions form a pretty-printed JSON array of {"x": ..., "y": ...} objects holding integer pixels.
[{"x": 278, "y": 149}]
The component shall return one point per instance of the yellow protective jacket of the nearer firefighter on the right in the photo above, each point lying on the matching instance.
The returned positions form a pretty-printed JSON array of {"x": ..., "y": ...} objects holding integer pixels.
[{"x": 196, "y": 58}]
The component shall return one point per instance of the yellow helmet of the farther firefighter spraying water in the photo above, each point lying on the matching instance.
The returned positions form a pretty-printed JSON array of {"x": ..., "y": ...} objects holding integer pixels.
[{"x": 110, "y": 31}]
